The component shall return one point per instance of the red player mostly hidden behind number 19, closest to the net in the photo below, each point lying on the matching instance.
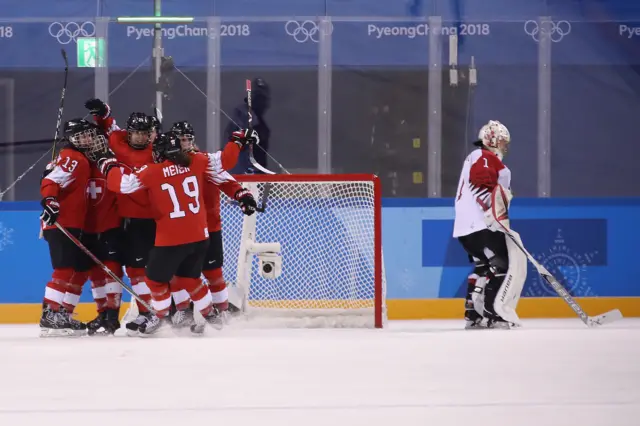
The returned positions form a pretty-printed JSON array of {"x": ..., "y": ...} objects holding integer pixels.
[{"x": 212, "y": 267}]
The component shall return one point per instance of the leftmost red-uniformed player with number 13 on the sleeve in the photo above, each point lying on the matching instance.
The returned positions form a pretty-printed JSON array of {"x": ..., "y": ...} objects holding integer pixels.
[{"x": 64, "y": 201}]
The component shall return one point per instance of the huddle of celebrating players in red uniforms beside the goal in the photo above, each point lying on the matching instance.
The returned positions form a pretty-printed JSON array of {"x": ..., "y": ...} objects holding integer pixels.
[{"x": 147, "y": 204}]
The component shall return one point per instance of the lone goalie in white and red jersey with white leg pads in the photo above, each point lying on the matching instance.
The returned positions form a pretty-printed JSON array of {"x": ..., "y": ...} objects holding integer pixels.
[{"x": 481, "y": 206}]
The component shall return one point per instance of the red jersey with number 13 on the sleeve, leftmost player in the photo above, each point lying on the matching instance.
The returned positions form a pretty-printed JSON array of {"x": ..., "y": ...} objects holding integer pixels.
[{"x": 68, "y": 182}]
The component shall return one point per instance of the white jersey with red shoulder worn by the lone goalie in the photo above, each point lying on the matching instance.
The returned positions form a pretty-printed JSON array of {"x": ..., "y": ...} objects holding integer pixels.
[{"x": 481, "y": 172}]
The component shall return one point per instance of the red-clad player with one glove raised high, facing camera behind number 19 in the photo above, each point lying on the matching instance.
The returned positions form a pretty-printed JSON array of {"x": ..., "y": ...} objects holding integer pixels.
[{"x": 133, "y": 151}]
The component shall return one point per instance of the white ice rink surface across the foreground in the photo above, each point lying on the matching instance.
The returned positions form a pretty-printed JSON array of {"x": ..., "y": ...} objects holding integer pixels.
[{"x": 550, "y": 372}]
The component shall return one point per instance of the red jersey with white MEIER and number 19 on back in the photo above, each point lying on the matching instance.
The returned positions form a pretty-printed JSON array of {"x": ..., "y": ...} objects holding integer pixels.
[{"x": 177, "y": 194}]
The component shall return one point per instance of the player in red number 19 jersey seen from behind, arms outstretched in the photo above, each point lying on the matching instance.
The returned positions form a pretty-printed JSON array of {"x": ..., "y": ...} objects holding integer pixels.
[{"x": 174, "y": 184}]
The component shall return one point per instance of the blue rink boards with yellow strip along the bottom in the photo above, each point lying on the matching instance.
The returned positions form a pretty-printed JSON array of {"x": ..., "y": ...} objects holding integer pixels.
[{"x": 588, "y": 244}]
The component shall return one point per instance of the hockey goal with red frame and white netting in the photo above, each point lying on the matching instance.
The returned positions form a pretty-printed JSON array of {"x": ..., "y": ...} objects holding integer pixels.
[{"x": 320, "y": 240}]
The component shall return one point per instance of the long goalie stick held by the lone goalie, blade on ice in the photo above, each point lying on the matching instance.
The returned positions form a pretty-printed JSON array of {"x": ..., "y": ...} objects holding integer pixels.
[{"x": 598, "y": 320}]
